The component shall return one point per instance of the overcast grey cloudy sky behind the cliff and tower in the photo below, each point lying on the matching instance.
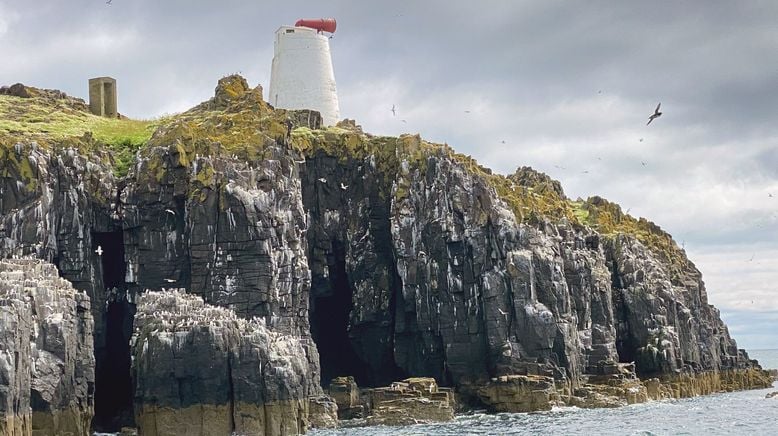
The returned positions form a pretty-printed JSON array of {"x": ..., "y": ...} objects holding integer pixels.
[{"x": 568, "y": 87}]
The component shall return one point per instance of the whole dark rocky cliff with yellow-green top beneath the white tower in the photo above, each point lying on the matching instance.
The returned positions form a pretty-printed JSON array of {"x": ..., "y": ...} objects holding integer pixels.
[{"x": 374, "y": 257}]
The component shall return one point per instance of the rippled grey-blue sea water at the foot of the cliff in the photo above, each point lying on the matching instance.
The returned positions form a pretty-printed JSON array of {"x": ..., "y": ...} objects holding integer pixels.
[{"x": 735, "y": 413}]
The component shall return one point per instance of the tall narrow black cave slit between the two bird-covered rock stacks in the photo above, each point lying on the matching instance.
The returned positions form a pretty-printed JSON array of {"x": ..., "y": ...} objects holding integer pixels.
[{"x": 113, "y": 380}]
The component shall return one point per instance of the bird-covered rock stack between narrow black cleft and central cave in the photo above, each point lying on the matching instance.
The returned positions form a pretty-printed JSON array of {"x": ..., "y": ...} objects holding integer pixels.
[{"x": 200, "y": 369}]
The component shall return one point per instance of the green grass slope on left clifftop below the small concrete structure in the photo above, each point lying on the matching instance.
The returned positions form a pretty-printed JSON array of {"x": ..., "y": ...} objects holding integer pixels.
[{"x": 48, "y": 120}]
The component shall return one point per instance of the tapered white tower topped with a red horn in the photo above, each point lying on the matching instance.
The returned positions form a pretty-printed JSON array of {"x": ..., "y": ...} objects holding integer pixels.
[{"x": 301, "y": 76}]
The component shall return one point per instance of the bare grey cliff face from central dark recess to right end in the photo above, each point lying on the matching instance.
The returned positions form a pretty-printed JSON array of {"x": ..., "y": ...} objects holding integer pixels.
[{"x": 444, "y": 281}]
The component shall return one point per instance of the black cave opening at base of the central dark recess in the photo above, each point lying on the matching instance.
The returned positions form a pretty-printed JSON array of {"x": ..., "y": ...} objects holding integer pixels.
[{"x": 331, "y": 304}]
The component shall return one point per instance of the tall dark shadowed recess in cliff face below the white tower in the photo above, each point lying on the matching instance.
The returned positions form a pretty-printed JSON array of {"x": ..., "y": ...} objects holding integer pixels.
[{"x": 355, "y": 291}]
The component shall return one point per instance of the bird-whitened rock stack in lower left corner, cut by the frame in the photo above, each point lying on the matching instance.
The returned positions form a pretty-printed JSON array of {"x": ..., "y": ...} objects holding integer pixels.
[{"x": 47, "y": 364}]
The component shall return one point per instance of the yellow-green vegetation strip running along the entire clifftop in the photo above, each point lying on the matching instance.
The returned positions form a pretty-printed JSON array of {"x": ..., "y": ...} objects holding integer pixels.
[{"x": 238, "y": 123}]
